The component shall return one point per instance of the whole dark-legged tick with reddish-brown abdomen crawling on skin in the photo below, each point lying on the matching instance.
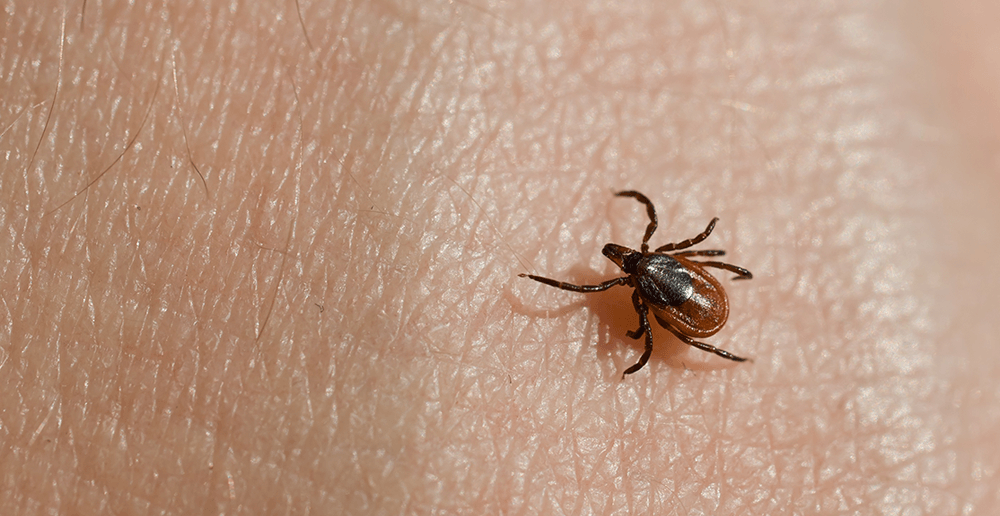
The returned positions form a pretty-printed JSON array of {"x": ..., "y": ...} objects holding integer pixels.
[{"x": 683, "y": 297}]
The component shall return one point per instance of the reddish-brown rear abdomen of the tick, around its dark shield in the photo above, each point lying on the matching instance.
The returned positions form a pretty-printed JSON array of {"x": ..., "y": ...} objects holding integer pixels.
[{"x": 704, "y": 313}]
